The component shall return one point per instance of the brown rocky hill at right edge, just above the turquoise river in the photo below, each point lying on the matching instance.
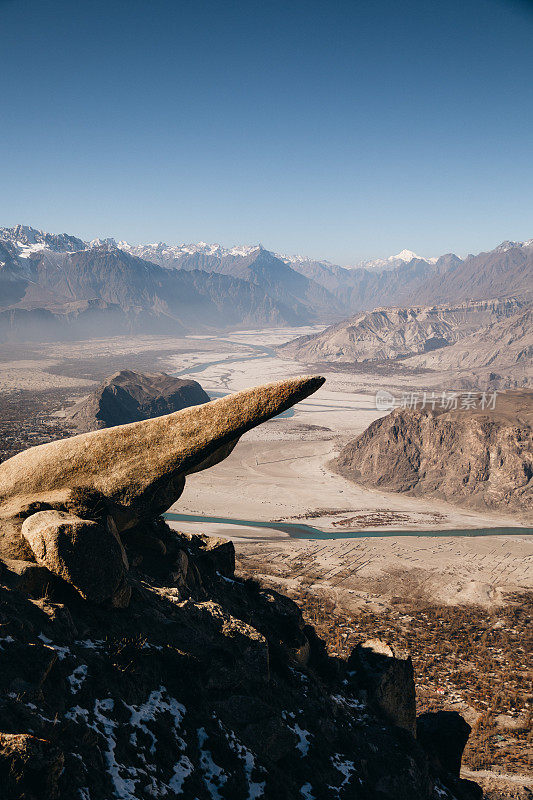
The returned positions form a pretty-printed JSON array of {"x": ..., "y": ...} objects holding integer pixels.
[{"x": 474, "y": 456}]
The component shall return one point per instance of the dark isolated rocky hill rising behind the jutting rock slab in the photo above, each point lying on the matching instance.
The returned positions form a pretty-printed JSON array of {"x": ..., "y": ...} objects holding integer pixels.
[{"x": 131, "y": 396}]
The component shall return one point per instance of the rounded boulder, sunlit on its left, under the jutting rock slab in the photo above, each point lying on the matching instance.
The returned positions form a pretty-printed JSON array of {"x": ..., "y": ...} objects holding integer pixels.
[{"x": 81, "y": 552}]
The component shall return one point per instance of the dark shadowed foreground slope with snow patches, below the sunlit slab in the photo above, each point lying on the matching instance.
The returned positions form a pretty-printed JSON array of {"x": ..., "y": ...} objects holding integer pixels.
[{"x": 206, "y": 686}]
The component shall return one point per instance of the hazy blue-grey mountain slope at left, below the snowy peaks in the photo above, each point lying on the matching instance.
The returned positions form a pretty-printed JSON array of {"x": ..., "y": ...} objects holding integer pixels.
[{"x": 138, "y": 295}]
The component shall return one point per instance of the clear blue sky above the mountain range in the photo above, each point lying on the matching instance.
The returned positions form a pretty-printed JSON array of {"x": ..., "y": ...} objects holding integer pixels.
[{"x": 342, "y": 130}]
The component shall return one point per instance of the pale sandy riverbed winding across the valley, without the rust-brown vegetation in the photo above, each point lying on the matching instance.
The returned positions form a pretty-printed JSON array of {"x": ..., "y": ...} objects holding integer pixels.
[{"x": 280, "y": 472}]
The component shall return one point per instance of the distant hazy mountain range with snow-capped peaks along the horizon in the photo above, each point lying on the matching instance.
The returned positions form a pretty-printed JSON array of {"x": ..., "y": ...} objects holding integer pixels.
[{"x": 56, "y": 286}]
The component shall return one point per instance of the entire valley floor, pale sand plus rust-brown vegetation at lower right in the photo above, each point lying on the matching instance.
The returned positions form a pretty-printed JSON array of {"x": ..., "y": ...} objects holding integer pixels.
[{"x": 349, "y": 554}]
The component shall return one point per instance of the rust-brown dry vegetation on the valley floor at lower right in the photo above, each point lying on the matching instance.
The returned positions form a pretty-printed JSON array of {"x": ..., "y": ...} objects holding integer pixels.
[{"x": 466, "y": 658}]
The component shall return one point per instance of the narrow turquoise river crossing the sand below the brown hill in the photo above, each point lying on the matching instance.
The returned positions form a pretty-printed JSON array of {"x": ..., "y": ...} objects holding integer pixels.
[{"x": 302, "y": 531}]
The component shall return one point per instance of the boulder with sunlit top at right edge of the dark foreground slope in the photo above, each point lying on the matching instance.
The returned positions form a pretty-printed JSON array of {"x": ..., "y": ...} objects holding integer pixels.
[{"x": 385, "y": 672}]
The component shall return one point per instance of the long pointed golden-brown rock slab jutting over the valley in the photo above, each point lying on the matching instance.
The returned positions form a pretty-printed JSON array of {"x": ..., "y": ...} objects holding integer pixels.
[{"x": 141, "y": 467}]
